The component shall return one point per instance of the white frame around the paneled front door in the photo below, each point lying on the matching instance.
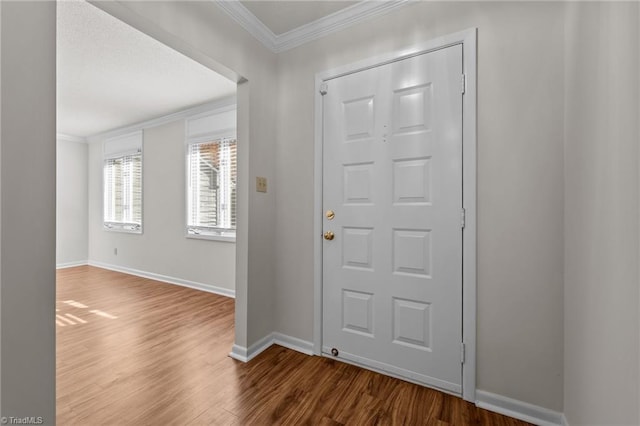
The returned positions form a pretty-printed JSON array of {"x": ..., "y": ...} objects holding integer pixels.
[{"x": 468, "y": 40}]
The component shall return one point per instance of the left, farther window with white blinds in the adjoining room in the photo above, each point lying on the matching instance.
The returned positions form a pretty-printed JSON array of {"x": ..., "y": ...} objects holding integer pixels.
[{"x": 122, "y": 179}]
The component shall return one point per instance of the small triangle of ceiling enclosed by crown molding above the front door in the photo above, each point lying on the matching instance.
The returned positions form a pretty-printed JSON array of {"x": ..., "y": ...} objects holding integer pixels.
[{"x": 283, "y": 16}]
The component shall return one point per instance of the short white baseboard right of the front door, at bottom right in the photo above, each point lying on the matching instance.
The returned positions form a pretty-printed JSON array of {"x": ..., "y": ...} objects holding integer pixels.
[{"x": 519, "y": 409}]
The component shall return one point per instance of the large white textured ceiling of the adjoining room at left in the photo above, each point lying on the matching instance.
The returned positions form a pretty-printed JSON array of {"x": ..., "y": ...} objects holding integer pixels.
[{"x": 111, "y": 75}]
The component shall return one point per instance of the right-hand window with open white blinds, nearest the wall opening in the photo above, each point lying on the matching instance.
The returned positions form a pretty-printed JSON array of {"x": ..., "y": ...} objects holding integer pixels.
[{"x": 211, "y": 188}]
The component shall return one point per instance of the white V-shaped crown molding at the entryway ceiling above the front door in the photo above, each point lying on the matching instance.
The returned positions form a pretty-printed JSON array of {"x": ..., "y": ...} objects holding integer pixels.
[{"x": 309, "y": 32}]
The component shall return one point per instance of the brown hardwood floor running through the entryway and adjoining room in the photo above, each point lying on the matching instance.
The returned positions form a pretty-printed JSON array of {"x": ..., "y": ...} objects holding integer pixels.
[{"x": 132, "y": 351}]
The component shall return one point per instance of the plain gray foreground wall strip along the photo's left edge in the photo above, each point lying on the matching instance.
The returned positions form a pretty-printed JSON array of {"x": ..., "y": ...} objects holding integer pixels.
[{"x": 27, "y": 224}]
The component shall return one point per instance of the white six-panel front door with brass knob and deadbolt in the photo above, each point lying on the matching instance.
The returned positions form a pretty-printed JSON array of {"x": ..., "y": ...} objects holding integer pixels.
[{"x": 392, "y": 195}]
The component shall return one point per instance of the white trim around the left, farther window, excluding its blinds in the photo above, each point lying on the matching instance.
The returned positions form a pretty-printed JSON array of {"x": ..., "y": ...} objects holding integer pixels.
[{"x": 134, "y": 144}]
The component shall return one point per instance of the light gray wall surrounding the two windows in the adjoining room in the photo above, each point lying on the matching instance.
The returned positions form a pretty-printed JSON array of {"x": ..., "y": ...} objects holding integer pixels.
[{"x": 162, "y": 248}]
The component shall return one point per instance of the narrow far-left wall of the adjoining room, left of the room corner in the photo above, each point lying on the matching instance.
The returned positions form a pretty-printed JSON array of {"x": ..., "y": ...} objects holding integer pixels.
[{"x": 72, "y": 203}]
